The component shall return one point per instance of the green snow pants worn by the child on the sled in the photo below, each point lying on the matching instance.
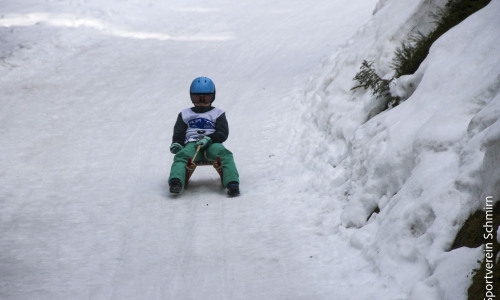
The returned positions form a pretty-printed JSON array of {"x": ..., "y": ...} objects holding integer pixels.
[{"x": 229, "y": 171}]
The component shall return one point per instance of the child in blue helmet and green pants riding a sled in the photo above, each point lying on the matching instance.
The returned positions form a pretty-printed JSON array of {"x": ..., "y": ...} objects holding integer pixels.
[{"x": 203, "y": 125}]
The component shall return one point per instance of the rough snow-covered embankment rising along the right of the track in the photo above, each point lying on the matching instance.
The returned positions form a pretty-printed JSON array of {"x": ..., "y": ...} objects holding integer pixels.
[{"x": 421, "y": 168}]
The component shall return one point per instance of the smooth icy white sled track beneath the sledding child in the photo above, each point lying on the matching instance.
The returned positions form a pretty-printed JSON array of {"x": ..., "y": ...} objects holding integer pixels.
[{"x": 89, "y": 95}]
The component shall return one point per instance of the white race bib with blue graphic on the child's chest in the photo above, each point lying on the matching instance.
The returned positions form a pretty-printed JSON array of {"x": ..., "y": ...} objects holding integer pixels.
[{"x": 200, "y": 124}]
